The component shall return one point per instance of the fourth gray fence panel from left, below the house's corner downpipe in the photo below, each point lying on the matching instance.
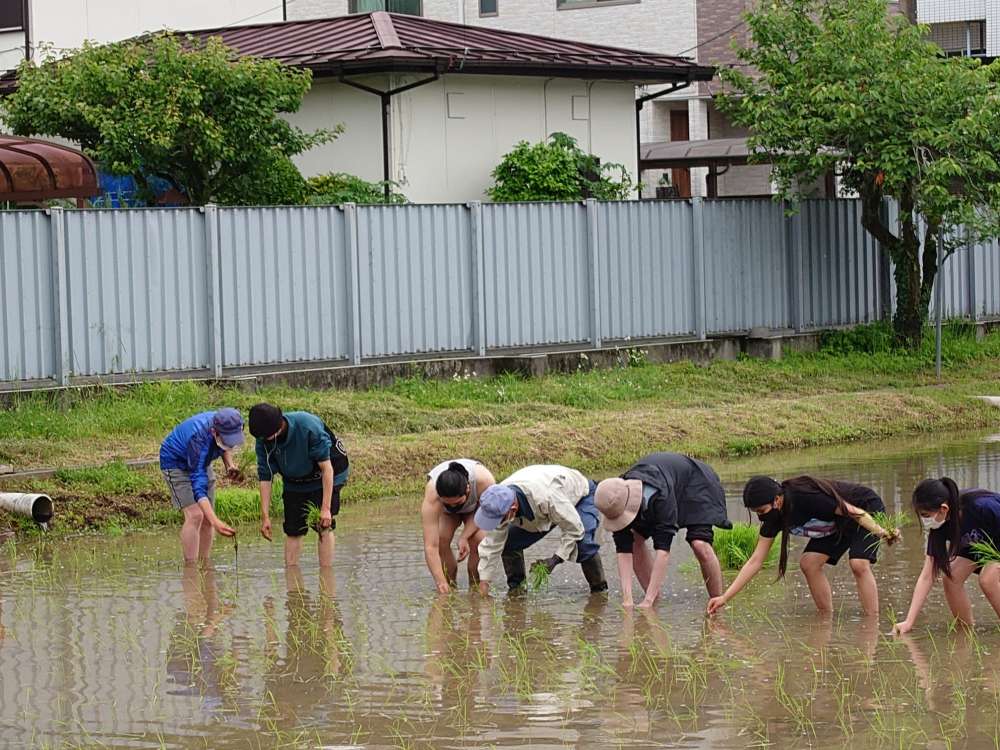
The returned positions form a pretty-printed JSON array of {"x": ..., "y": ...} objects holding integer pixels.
[{"x": 416, "y": 279}]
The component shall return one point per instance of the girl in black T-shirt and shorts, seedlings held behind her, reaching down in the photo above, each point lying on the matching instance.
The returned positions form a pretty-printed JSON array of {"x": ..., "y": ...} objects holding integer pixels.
[{"x": 835, "y": 518}]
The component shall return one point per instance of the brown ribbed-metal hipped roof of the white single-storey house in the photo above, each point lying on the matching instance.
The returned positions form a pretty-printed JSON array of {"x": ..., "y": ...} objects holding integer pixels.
[{"x": 391, "y": 42}]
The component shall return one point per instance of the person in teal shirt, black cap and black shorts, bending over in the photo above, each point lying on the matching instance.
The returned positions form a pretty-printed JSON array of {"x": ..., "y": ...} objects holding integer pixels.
[{"x": 313, "y": 466}]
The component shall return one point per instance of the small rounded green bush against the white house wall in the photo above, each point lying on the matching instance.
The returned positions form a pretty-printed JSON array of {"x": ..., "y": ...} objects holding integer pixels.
[{"x": 556, "y": 170}]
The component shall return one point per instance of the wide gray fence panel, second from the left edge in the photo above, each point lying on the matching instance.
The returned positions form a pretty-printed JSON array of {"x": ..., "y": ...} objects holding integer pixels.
[{"x": 137, "y": 291}]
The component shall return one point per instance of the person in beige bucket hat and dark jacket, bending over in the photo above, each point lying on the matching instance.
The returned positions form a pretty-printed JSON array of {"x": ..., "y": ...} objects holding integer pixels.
[{"x": 660, "y": 494}]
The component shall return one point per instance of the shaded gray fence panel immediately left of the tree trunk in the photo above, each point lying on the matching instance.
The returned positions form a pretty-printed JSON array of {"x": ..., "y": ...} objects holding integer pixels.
[{"x": 840, "y": 264}]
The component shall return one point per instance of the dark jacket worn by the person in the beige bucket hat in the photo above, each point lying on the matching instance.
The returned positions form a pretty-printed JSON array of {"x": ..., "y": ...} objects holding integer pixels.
[{"x": 691, "y": 489}]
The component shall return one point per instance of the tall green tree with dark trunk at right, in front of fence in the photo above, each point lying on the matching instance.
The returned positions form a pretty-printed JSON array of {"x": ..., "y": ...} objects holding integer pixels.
[{"x": 840, "y": 85}]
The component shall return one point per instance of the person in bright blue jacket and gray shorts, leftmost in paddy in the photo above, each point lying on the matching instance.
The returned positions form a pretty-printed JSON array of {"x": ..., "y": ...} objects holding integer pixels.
[{"x": 186, "y": 457}]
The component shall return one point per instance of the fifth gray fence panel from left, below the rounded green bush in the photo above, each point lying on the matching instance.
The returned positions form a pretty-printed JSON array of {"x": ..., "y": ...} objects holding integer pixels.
[{"x": 537, "y": 275}]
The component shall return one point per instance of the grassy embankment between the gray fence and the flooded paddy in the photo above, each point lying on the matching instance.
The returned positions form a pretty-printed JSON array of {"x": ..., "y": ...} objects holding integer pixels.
[{"x": 855, "y": 388}]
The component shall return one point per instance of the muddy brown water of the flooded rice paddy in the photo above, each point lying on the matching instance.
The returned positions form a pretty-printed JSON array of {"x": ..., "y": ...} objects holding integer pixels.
[{"x": 109, "y": 643}]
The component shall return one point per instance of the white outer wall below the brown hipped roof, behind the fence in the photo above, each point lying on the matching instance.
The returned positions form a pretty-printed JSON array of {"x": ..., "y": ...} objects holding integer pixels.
[{"x": 442, "y": 158}]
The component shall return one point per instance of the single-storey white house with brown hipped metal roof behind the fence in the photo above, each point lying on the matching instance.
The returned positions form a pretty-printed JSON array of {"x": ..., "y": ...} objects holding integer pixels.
[{"x": 434, "y": 105}]
